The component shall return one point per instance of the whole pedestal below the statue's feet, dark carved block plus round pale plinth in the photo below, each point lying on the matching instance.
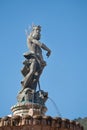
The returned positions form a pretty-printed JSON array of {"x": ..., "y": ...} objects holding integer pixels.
[{"x": 30, "y": 103}]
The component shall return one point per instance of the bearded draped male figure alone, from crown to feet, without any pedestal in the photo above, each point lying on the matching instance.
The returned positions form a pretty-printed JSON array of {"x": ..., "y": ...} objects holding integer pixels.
[{"x": 34, "y": 63}]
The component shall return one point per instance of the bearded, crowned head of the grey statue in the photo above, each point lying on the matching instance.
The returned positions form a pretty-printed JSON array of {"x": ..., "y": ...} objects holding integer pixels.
[{"x": 36, "y": 32}]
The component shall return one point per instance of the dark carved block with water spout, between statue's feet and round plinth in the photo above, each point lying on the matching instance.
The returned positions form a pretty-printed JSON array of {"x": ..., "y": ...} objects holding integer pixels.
[{"x": 36, "y": 97}]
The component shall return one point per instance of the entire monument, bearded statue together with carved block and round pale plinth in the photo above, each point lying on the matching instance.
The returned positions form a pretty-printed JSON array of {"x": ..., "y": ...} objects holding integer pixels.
[{"x": 29, "y": 99}]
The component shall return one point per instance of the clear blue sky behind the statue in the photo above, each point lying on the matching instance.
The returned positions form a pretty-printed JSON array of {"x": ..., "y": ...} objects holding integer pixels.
[{"x": 64, "y": 31}]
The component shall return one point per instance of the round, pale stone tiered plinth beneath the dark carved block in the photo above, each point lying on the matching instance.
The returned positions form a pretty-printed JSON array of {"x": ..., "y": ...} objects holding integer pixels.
[{"x": 28, "y": 108}]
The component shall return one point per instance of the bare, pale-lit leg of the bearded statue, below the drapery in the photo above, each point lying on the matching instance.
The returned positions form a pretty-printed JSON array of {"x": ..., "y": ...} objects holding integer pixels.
[{"x": 29, "y": 76}]
